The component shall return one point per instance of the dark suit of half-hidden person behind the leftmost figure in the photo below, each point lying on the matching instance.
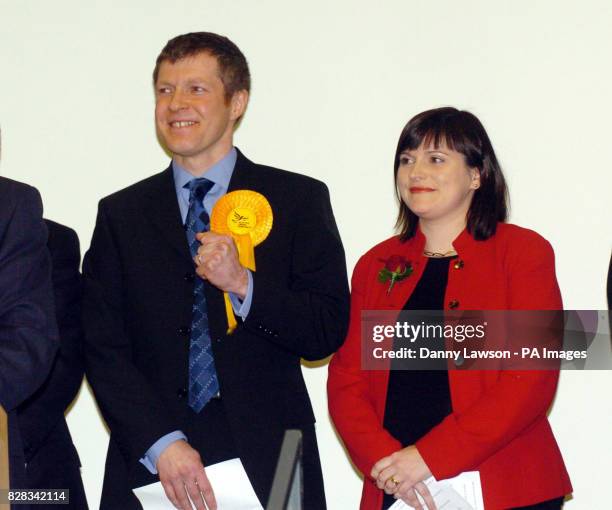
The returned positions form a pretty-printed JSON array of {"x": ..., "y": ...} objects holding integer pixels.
[{"x": 52, "y": 460}]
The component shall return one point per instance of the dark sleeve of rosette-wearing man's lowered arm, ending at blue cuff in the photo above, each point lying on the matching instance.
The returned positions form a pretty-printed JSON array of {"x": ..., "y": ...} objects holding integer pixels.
[{"x": 135, "y": 413}]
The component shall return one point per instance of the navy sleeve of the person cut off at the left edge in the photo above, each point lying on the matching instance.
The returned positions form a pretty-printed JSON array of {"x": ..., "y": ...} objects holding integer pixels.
[{"x": 28, "y": 334}]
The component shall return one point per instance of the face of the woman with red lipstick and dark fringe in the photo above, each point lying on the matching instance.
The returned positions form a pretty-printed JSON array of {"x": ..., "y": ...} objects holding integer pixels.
[{"x": 435, "y": 183}]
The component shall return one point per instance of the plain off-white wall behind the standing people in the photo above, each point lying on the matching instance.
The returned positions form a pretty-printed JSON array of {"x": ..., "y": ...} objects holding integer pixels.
[{"x": 333, "y": 84}]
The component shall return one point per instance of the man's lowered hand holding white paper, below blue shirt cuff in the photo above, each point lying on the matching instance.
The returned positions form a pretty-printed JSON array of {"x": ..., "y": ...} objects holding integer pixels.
[{"x": 181, "y": 472}]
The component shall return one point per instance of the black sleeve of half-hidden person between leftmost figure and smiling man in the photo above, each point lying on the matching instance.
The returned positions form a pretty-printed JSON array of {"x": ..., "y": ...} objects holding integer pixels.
[{"x": 41, "y": 412}]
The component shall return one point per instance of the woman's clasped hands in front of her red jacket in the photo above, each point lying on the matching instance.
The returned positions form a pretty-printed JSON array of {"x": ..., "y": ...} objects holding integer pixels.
[{"x": 402, "y": 474}]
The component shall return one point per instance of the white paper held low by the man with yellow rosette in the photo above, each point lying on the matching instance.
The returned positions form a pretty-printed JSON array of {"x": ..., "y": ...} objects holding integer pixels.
[{"x": 230, "y": 483}]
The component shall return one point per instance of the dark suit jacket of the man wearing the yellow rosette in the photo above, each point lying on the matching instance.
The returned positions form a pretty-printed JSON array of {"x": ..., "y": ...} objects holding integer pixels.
[{"x": 138, "y": 299}]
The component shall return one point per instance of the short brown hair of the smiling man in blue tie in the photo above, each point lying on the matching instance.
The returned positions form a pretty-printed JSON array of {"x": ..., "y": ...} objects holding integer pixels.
[{"x": 233, "y": 67}]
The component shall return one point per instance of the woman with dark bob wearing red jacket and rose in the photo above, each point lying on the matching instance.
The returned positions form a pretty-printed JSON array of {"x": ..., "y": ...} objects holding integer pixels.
[{"x": 402, "y": 426}]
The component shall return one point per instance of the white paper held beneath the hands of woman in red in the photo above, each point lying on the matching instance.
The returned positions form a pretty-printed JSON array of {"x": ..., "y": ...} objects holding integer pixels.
[{"x": 463, "y": 492}]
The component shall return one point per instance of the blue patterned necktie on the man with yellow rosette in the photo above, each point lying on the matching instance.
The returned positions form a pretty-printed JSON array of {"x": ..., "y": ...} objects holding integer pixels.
[{"x": 203, "y": 382}]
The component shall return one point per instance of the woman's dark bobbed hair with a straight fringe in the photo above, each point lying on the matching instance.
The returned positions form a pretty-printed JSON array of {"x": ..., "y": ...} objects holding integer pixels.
[{"x": 461, "y": 131}]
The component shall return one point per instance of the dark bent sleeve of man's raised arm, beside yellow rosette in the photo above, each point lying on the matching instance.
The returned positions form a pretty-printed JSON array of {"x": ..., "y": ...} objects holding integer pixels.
[{"x": 309, "y": 314}]
